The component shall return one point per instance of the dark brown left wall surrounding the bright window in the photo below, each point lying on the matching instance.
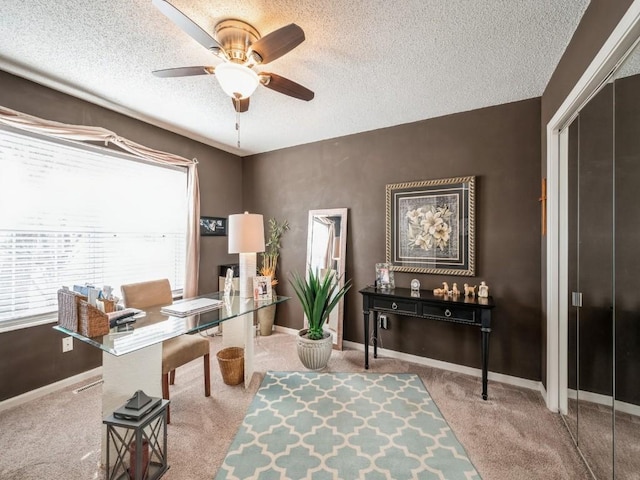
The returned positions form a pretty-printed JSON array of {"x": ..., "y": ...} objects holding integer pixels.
[{"x": 31, "y": 358}]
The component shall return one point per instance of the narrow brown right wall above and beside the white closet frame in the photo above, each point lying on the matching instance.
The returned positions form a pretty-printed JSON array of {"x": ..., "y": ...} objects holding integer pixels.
[{"x": 596, "y": 25}]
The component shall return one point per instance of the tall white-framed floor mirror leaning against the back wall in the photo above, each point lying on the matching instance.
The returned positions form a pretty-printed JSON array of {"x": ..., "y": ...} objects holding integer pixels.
[{"x": 326, "y": 252}]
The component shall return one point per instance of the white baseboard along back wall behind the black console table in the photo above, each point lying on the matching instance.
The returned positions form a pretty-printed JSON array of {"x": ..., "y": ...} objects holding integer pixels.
[{"x": 429, "y": 362}]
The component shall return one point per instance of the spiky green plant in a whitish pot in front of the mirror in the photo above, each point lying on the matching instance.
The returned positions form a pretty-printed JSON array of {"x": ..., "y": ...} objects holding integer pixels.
[{"x": 318, "y": 297}]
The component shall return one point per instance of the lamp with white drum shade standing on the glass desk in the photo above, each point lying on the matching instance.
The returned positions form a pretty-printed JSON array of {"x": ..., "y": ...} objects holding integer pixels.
[{"x": 246, "y": 237}]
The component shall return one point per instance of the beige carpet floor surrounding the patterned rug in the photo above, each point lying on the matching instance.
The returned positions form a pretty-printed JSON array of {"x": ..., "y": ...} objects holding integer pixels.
[{"x": 511, "y": 436}]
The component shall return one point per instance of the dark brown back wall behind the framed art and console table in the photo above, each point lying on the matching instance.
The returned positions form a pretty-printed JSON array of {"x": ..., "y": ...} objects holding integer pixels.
[{"x": 499, "y": 145}]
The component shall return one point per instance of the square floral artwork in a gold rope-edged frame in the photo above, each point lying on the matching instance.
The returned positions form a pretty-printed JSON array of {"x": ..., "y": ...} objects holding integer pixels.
[{"x": 431, "y": 226}]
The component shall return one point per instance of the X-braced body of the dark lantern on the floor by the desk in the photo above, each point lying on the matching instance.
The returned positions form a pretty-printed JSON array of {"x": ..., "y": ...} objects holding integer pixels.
[{"x": 143, "y": 441}]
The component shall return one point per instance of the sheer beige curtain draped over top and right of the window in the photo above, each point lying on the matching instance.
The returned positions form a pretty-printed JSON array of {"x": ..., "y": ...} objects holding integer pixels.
[{"x": 85, "y": 133}]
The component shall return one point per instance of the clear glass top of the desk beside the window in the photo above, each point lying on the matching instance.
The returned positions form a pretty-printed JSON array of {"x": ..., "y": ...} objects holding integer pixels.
[{"x": 156, "y": 327}]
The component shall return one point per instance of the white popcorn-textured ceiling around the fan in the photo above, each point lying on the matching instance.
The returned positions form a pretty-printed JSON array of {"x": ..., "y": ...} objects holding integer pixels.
[{"x": 371, "y": 63}]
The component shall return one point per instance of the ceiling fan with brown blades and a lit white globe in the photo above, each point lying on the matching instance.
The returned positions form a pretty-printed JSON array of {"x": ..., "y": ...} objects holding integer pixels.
[{"x": 241, "y": 47}]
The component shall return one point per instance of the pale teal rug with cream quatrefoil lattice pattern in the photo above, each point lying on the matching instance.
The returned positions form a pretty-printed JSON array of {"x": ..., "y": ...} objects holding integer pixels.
[{"x": 320, "y": 426}]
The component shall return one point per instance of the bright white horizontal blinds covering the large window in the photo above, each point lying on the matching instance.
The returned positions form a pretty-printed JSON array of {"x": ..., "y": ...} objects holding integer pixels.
[{"x": 74, "y": 214}]
